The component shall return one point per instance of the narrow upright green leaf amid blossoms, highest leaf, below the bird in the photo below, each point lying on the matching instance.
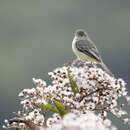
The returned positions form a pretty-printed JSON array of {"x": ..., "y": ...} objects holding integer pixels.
[{"x": 73, "y": 84}]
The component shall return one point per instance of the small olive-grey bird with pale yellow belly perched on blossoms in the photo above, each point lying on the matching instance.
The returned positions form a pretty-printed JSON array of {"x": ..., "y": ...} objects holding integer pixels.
[{"x": 86, "y": 50}]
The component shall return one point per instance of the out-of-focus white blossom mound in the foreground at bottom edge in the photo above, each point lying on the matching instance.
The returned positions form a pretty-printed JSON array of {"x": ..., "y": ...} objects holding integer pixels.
[{"x": 86, "y": 121}]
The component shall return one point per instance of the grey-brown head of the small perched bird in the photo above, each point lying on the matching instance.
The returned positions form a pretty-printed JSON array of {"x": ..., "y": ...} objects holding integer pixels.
[{"x": 80, "y": 34}]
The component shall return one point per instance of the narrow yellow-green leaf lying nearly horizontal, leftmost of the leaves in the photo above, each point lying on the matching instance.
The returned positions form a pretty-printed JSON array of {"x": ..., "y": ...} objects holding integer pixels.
[{"x": 48, "y": 107}]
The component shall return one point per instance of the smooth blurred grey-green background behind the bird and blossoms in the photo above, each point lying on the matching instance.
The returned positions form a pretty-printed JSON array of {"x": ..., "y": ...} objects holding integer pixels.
[{"x": 36, "y": 36}]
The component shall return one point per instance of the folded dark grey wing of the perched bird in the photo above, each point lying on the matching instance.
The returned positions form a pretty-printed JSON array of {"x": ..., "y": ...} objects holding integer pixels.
[{"x": 88, "y": 49}]
